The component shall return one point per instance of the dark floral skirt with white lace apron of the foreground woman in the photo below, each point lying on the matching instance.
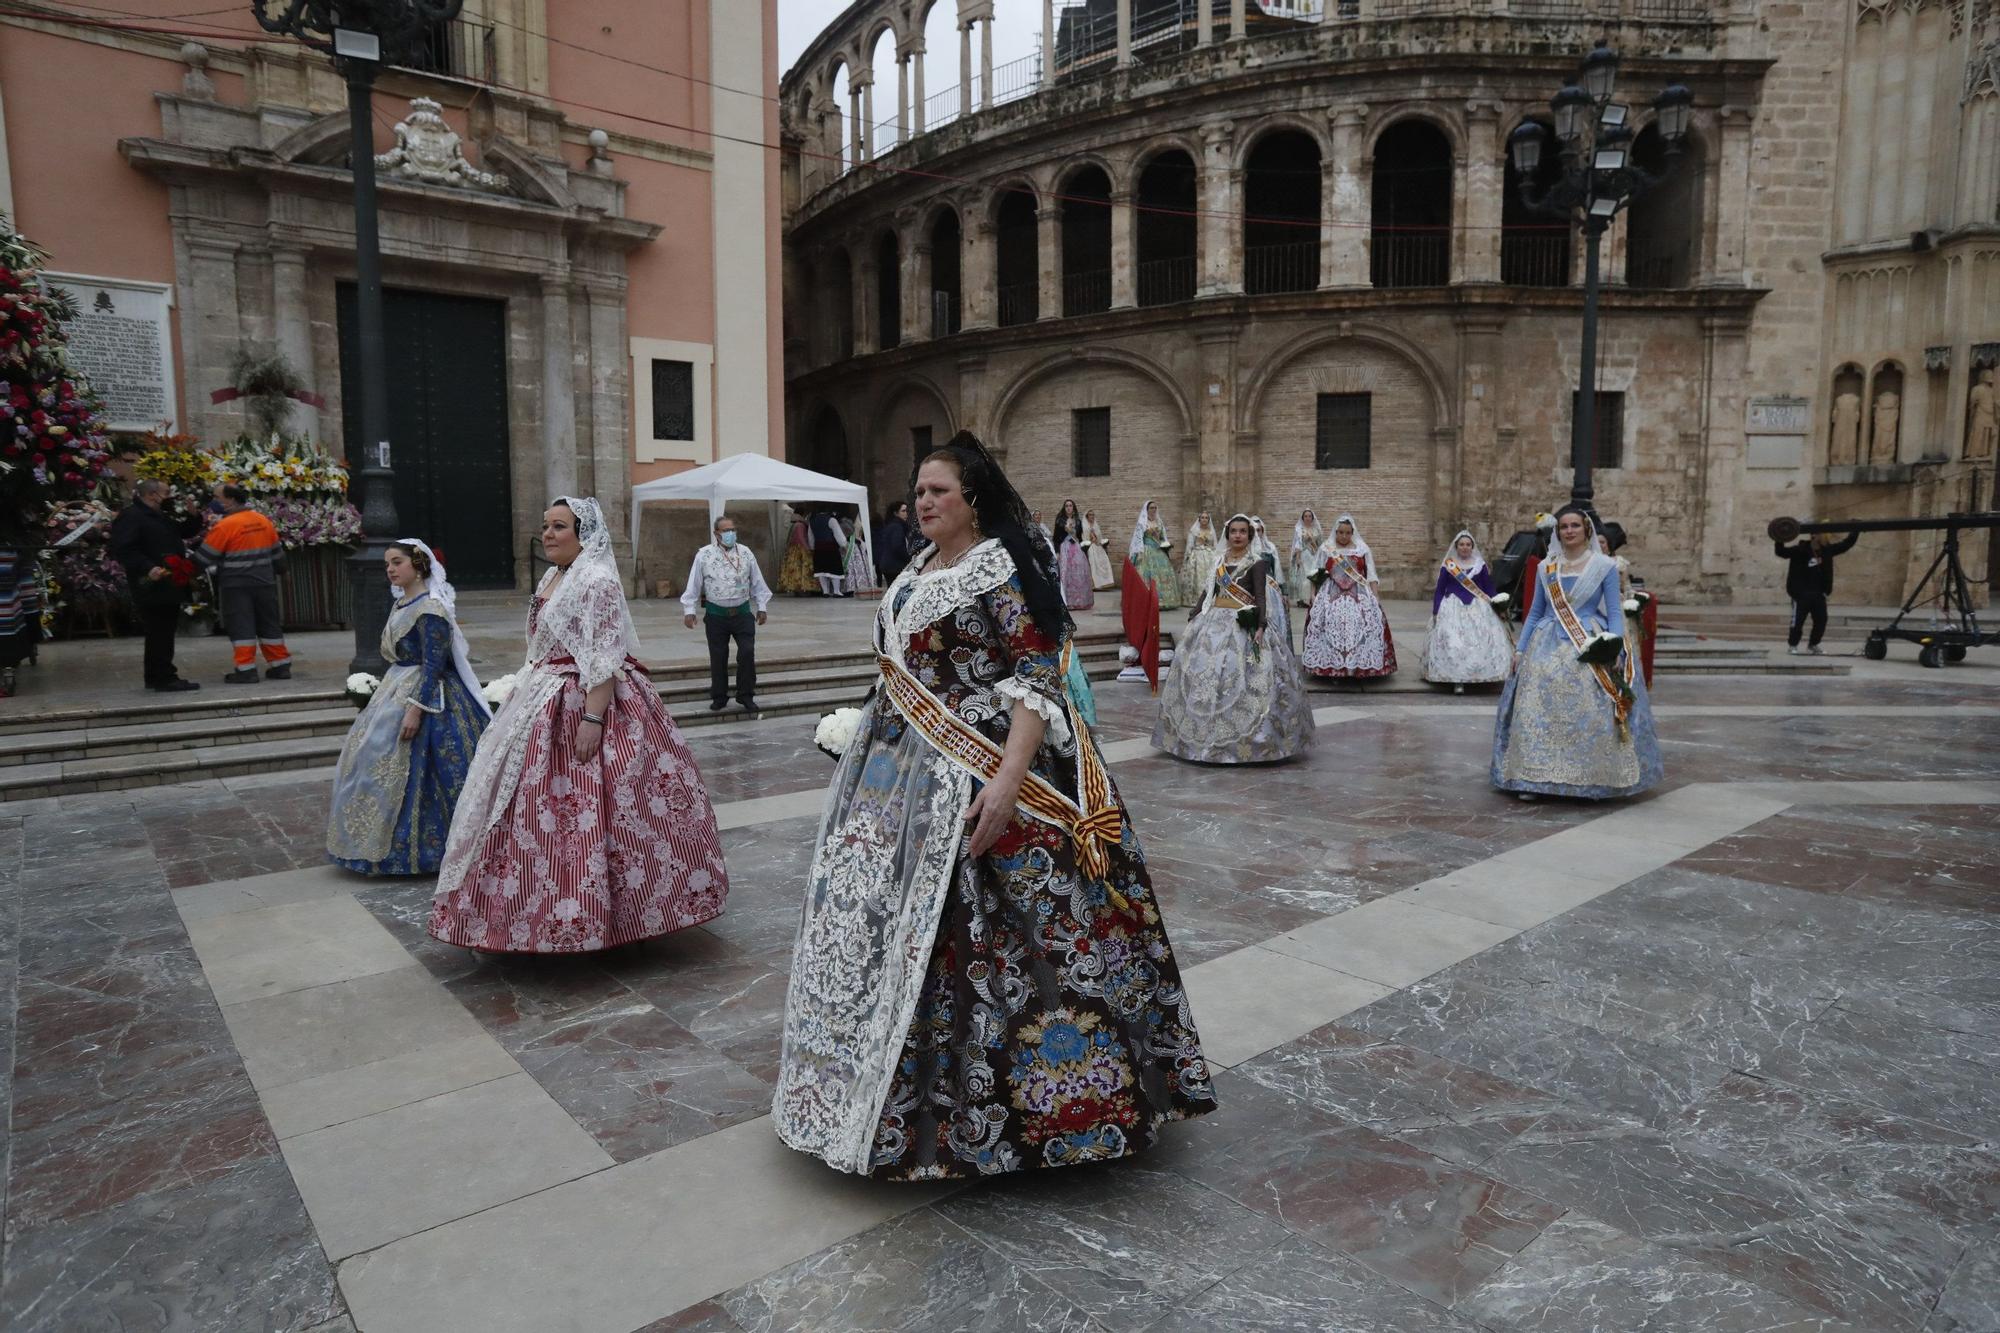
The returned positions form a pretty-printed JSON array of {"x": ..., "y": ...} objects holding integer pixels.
[{"x": 959, "y": 1016}]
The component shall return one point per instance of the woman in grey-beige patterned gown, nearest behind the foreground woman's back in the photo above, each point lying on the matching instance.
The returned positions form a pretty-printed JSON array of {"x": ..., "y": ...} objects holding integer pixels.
[{"x": 1237, "y": 694}]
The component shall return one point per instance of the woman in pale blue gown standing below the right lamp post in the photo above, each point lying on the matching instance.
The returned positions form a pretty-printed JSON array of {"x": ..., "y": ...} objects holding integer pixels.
[{"x": 1575, "y": 720}]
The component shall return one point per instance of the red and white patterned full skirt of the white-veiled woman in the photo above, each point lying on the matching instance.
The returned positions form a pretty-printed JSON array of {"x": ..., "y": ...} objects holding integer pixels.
[{"x": 553, "y": 856}]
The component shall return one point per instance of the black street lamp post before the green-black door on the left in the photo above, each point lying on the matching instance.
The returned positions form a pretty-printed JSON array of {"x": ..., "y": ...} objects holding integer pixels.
[{"x": 361, "y": 37}]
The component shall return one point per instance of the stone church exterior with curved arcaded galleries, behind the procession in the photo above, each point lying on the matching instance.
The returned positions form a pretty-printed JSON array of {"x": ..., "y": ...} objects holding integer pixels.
[{"x": 1269, "y": 257}]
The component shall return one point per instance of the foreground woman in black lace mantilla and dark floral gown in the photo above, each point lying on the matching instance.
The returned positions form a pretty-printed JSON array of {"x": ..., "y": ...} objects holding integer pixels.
[{"x": 983, "y": 982}]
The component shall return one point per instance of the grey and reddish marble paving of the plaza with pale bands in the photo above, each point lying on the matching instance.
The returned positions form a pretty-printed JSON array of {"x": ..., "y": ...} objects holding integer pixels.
[{"x": 1719, "y": 1060}]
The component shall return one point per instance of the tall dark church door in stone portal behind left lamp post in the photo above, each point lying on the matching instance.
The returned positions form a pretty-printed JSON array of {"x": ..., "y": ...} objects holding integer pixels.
[{"x": 447, "y": 423}]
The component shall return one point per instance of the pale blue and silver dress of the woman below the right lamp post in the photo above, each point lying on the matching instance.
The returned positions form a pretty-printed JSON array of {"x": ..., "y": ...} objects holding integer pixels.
[{"x": 1557, "y": 732}]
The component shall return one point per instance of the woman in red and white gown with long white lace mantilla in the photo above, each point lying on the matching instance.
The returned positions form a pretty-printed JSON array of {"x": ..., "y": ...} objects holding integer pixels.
[{"x": 585, "y": 822}]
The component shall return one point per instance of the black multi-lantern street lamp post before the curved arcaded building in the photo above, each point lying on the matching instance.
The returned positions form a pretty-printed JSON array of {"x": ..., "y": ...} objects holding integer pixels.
[{"x": 1599, "y": 179}]
